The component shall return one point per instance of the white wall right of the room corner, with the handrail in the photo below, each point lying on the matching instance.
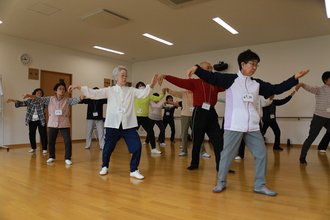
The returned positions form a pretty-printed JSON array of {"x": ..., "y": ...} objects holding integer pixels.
[{"x": 279, "y": 61}]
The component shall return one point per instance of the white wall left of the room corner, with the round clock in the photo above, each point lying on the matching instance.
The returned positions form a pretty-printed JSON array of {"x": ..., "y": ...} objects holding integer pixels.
[{"x": 86, "y": 69}]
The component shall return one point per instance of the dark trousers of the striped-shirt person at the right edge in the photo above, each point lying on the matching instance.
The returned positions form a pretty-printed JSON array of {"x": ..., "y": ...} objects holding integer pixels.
[{"x": 317, "y": 124}]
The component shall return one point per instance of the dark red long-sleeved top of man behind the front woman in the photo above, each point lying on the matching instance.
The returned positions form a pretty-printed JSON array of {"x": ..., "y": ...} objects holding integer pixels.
[{"x": 203, "y": 92}]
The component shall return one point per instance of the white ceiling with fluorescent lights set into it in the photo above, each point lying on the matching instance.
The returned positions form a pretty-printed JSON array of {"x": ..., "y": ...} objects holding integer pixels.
[{"x": 189, "y": 27}]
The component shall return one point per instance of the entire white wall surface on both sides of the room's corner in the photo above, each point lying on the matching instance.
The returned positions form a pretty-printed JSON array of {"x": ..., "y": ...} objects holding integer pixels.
[{"x": 278, "y": 62}]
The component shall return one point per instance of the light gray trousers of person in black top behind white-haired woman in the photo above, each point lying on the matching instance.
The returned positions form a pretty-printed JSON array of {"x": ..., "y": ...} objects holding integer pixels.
[{"x": 99, "y": 125}]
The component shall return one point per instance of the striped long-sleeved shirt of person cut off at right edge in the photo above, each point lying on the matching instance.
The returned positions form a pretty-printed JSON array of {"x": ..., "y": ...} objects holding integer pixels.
[{"x": 322, "y": 95}]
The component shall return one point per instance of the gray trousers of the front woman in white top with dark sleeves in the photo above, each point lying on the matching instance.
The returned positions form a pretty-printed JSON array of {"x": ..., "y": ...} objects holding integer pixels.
[{"x": 255, "y": 143}]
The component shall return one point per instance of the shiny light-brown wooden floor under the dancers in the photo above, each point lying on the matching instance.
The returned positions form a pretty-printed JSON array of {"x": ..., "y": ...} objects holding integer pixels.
[{"x": 33, "y": 189}]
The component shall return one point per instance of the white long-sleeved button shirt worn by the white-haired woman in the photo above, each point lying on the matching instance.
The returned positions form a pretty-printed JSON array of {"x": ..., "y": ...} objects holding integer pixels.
[{"x": 120, "y": 108}]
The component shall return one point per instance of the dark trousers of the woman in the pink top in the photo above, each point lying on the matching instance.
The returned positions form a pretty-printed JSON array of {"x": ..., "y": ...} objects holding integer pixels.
[{"x": 65, "y": 132}]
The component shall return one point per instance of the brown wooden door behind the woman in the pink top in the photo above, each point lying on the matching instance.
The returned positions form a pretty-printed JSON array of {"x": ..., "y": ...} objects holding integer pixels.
[{"x": 48, "y": 80}]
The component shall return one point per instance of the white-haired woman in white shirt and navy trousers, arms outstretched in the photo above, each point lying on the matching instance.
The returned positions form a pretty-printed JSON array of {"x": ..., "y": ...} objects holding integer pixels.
[{"x": 120, "y": 117}]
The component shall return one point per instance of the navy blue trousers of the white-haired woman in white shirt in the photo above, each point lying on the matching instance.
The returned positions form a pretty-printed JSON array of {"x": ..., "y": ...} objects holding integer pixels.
[{"x": 132, "y": 139}]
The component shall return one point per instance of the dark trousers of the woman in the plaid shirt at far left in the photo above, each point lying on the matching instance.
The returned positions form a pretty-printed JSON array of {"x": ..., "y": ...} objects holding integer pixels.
[{"x": 33, "y": 125}]
